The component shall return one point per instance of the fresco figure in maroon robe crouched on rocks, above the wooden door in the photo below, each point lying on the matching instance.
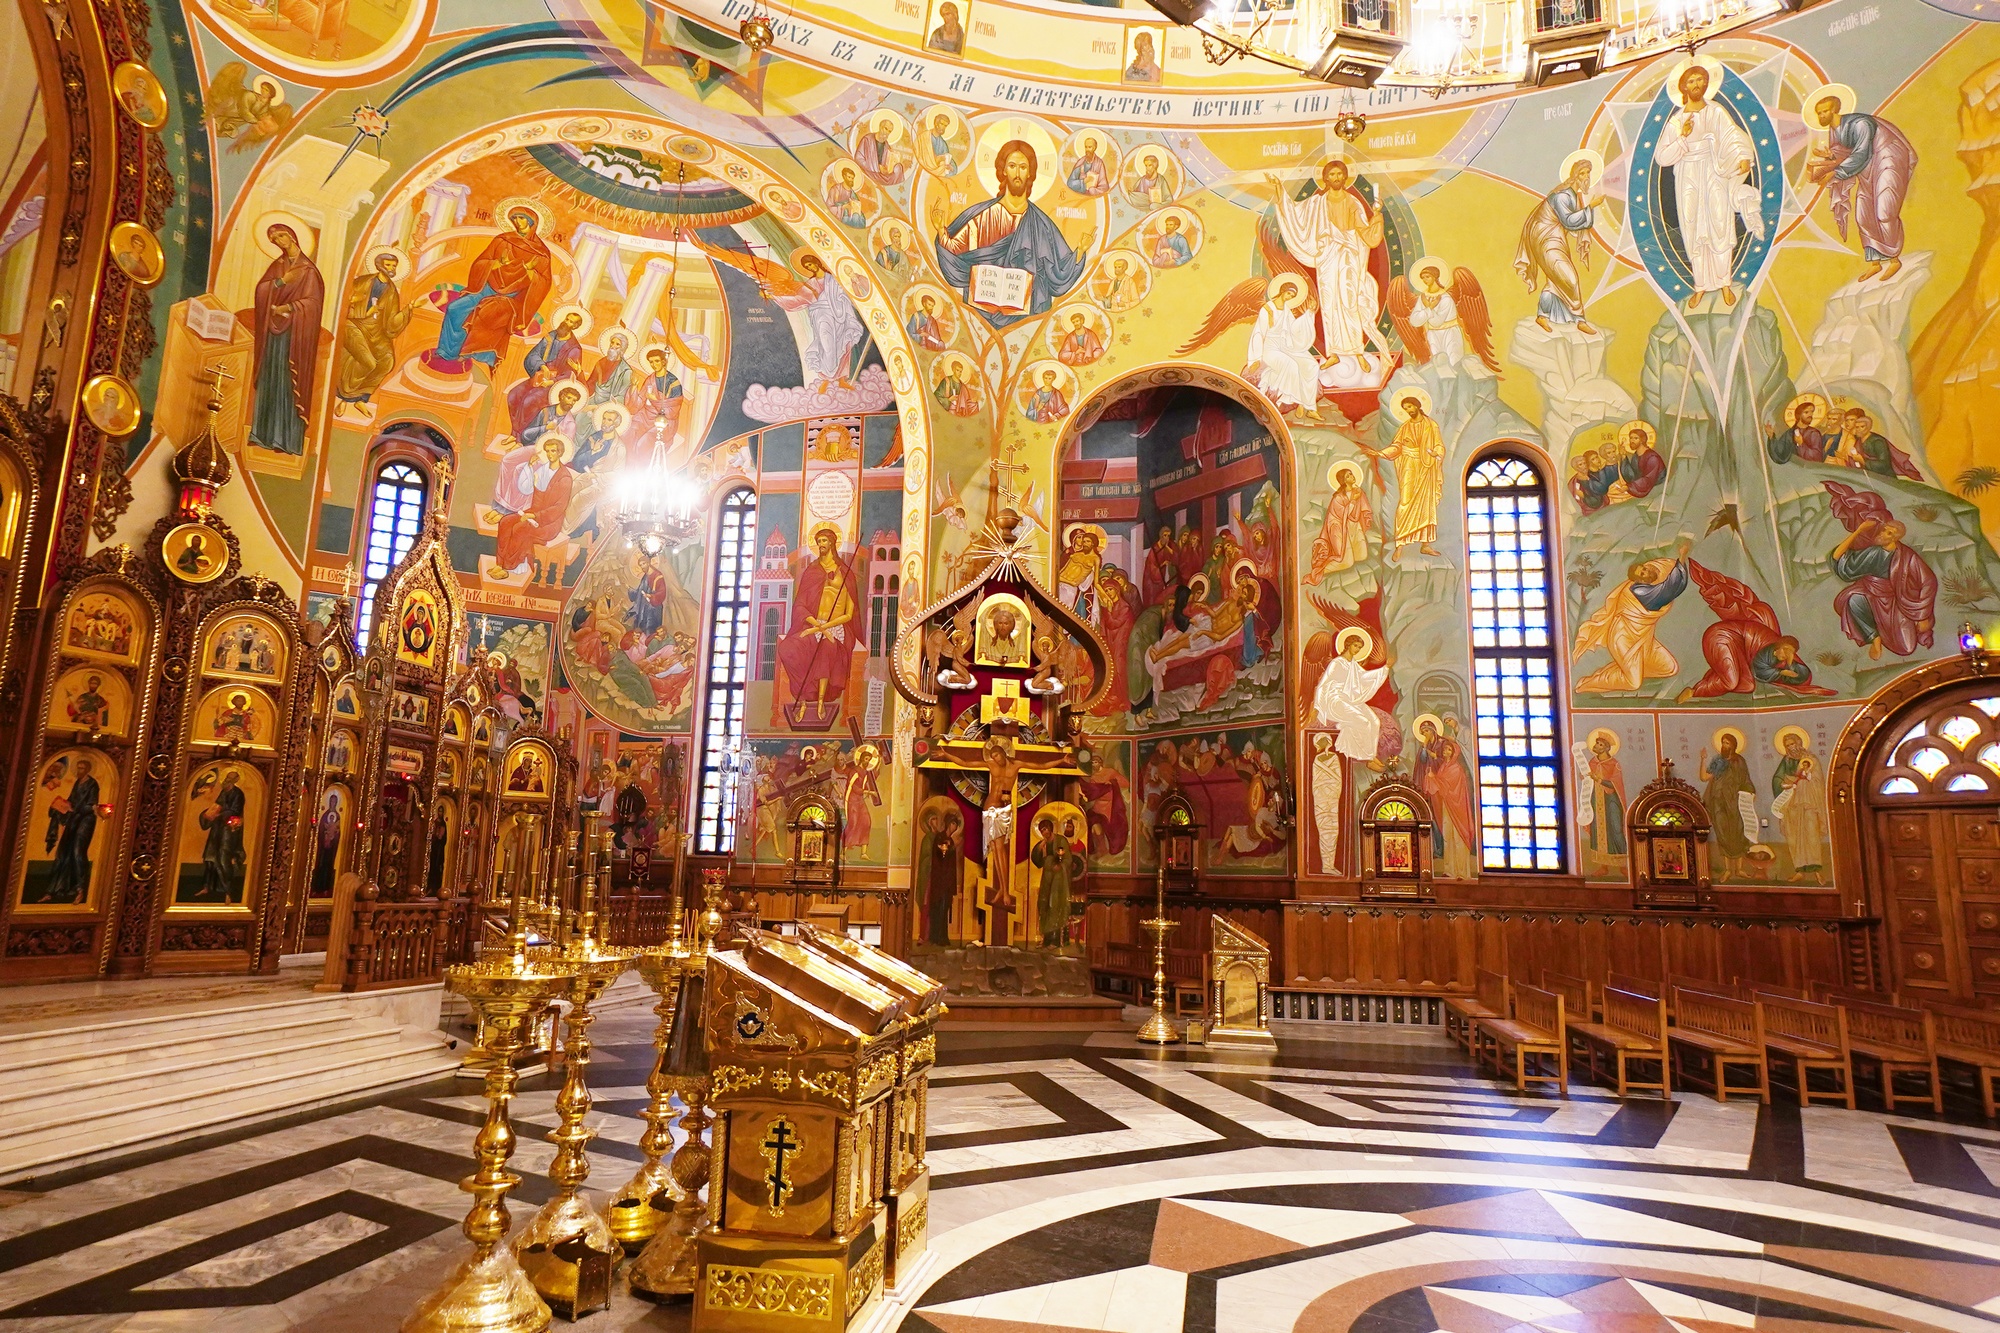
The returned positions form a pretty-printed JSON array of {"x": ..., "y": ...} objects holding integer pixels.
[{"x": 1893, "y": 595}]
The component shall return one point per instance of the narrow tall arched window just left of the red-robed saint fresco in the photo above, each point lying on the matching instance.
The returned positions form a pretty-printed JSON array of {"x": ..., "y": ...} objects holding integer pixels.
[{"x": 729, "y": 674}]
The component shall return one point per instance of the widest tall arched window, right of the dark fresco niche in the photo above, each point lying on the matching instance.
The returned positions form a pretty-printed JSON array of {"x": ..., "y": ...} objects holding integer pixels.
[{"x": 1515, "y": 668}]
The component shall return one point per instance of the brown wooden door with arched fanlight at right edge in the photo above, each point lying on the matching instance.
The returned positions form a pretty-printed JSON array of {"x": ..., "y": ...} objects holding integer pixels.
[{"x": 1935, "y": 800}]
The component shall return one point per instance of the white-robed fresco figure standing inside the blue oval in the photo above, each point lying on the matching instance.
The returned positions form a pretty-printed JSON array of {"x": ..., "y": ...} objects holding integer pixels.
[{"x": 1711, "y": 157}]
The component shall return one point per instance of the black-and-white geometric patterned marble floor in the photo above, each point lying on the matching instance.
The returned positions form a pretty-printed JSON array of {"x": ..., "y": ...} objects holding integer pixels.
[{"x": 1081, "y": 1182}]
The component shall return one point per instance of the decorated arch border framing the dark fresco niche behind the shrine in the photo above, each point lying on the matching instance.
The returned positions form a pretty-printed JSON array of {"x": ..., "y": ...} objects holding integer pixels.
[{"x": 1265, "y": 413}]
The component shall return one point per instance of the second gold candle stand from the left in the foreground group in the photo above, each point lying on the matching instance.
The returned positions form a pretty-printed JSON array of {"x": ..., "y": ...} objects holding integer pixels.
[{"x": 567, "y": 1248}]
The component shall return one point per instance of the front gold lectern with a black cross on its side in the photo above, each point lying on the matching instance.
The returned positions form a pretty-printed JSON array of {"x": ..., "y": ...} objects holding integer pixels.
[{"x": 803, "y": 1058}]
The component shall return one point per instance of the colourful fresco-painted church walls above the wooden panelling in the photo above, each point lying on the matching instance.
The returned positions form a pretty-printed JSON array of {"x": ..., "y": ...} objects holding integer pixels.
[{"x": 1723, "y": 319}]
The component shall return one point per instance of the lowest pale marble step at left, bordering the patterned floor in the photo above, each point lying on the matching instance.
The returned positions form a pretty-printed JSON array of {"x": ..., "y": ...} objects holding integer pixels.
[{"x": 201, "y": 1106}]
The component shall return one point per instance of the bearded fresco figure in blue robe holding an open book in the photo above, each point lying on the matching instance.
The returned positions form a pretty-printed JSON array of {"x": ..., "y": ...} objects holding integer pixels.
[{"x": 1011, "y": 231}]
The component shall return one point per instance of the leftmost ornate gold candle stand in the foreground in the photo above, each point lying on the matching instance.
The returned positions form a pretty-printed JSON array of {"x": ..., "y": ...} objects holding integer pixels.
[{"x": 489, "y": 1292}]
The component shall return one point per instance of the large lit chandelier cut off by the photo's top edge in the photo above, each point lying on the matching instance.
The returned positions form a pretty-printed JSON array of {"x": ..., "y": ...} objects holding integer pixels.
[{"x": 1447, "y": 45}]
